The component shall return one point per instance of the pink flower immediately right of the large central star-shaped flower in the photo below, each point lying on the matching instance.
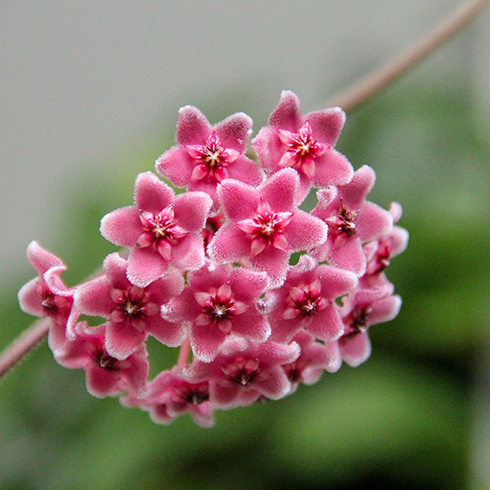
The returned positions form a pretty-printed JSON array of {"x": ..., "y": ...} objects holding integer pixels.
[{"x": 351, "y": 222}]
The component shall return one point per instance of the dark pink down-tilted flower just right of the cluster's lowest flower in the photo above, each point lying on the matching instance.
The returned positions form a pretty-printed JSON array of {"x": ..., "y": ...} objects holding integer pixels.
[{"x": 242, "y": 372}]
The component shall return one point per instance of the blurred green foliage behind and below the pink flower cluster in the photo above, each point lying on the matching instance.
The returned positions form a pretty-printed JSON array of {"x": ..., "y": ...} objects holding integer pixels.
[{"x": 408, "y": 418}]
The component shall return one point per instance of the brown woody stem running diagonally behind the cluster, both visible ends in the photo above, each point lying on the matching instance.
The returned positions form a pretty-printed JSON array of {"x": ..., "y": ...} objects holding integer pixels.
[{"x": 350, "y": 100}]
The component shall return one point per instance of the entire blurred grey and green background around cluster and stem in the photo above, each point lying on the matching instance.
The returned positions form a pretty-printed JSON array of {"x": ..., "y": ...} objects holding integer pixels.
[{"x": 90, "y": 93}]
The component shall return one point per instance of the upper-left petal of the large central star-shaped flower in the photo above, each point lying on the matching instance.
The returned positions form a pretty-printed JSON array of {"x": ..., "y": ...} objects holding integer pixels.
[{"x": 239, "y": 200}]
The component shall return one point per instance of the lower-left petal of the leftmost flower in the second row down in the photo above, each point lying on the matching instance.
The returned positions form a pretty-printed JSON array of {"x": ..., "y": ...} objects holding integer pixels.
[{"x": 144, "y": 266}]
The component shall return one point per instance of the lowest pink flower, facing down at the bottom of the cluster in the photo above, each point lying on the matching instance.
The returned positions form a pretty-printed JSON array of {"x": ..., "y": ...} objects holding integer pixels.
[{"x": 170, "y": 396}]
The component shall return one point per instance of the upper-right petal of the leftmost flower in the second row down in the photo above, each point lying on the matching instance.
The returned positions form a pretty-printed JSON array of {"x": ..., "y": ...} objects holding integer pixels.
[{"x": 191, "y": 210}]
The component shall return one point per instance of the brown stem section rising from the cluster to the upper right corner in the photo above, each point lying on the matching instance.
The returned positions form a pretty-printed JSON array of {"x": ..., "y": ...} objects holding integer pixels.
[{"x": 366, "y": 88}]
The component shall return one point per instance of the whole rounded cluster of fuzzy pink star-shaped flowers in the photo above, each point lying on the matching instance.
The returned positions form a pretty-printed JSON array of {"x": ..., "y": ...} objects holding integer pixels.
[{"x": 211, "y": 270}]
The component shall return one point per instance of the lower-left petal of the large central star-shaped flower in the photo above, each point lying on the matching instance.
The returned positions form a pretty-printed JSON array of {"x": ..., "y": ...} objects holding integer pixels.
[{"x": 230, "y": 244}]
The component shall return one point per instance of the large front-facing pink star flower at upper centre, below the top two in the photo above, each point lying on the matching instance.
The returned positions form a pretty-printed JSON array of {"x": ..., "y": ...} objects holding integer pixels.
[{"x": 264, "y": 226}]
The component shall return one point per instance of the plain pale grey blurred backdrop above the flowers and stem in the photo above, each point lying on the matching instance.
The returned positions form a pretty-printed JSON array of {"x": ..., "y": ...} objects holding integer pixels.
[{"x": 80, "y": 80}]
